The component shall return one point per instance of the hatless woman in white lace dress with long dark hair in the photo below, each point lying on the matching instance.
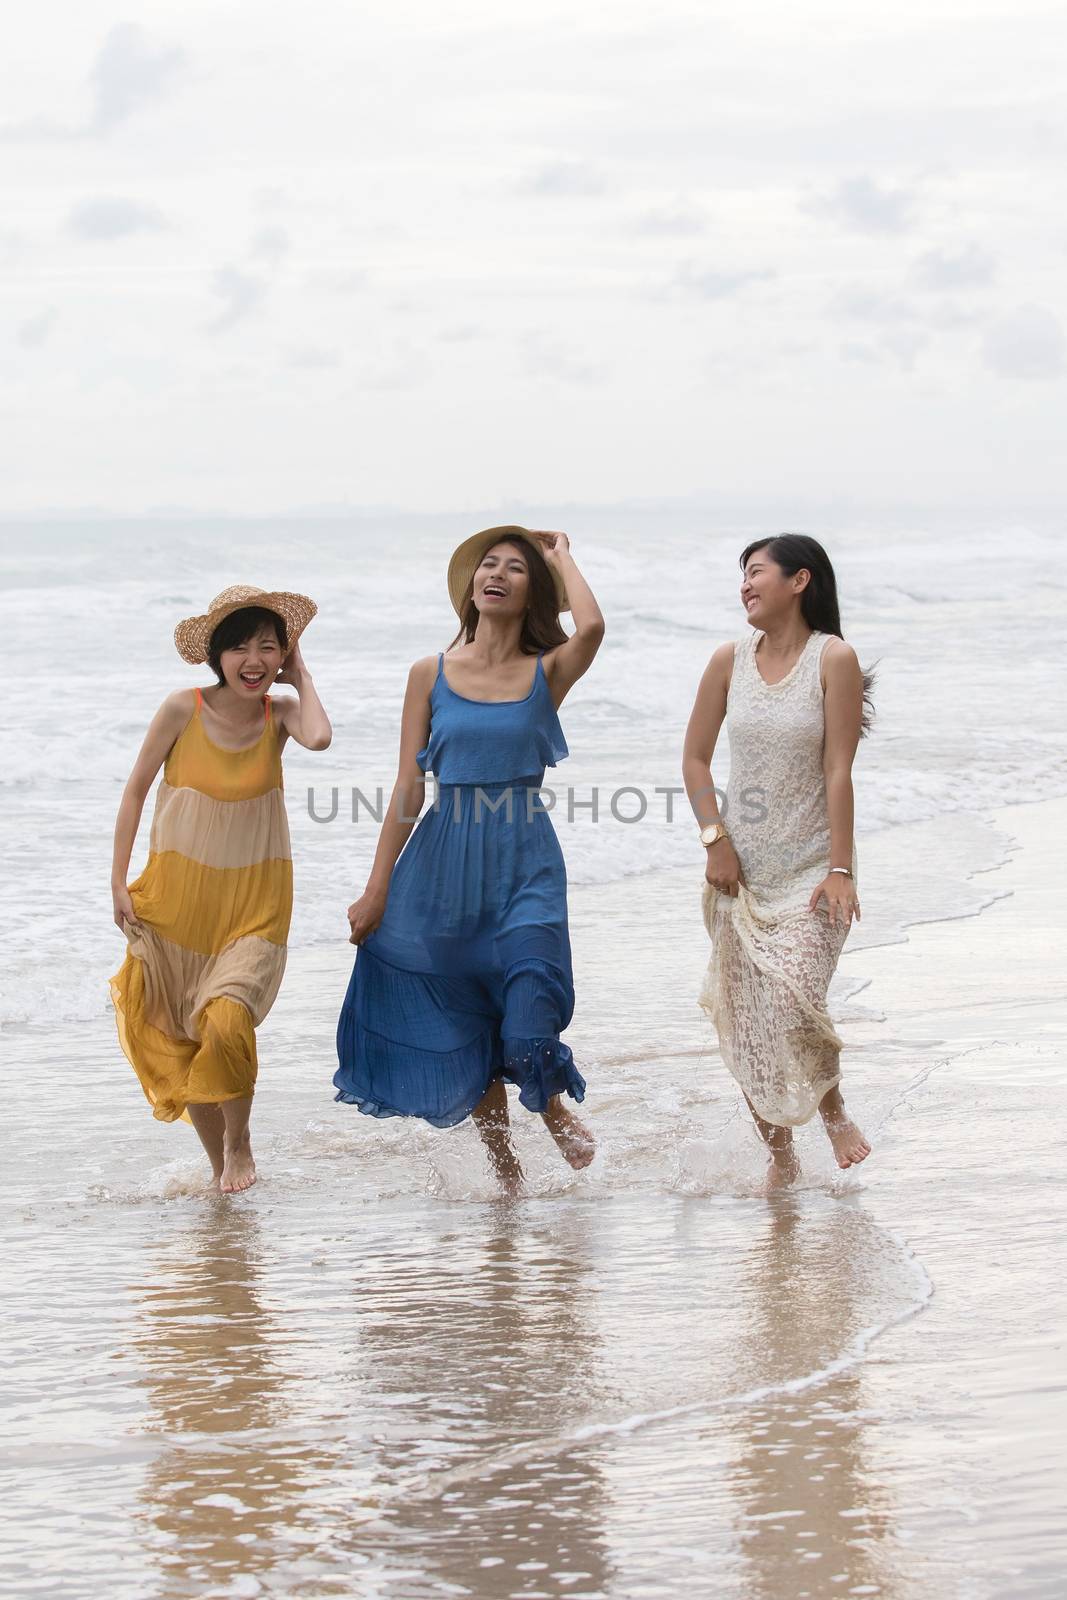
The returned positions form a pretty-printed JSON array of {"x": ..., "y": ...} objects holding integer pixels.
[{"x": 781, "y": 860}]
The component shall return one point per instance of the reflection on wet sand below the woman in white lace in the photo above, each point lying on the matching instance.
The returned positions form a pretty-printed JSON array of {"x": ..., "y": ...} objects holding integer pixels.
[{"x": 813, "y": 1519}]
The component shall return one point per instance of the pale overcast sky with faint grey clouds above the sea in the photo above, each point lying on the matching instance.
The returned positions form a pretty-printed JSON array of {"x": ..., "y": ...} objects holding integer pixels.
[{"x": 262, "y": 258}]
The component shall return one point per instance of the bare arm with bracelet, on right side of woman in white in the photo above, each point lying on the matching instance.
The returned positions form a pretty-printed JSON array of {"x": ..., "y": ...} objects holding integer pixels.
[{"x": 844, "y": 708}]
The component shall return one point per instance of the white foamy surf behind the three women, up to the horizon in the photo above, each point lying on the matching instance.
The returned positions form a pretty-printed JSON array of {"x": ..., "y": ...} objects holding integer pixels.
[{"x": 964, "y": 713}]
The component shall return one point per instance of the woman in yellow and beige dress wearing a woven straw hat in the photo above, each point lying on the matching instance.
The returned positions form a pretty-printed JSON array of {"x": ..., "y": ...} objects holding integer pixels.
[{"x": 207, "y": 922}]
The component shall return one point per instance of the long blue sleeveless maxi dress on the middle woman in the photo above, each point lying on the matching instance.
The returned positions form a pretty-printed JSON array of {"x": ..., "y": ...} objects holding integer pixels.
[{"x": 468, "y": 977}]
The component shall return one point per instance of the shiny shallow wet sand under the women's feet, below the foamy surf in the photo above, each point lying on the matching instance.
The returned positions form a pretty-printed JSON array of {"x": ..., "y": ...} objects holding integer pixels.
[{"x": 369, "y": 1377}]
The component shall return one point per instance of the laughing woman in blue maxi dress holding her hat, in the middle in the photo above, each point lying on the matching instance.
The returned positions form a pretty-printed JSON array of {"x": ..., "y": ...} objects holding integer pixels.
[{"x": 463, "y": 974}]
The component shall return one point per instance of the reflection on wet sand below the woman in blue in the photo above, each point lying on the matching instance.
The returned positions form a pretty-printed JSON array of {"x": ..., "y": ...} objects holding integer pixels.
[{"x": 490, "y": 1345}]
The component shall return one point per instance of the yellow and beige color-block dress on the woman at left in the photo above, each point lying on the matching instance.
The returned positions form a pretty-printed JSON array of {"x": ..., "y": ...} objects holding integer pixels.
[{"x": 214, "y": 903}]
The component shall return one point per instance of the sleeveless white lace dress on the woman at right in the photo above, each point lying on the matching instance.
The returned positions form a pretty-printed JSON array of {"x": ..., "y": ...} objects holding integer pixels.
[{"x": 772, "y": 958}]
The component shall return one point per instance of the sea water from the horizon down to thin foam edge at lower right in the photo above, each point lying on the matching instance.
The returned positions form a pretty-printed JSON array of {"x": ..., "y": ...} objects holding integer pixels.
[{"x": 370, "y": 1375}]
